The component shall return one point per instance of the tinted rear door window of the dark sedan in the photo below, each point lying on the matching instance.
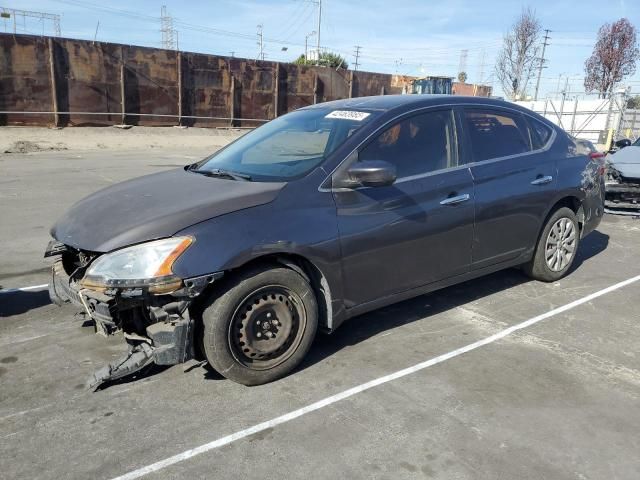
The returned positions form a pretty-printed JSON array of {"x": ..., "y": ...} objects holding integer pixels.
[{"x": 496, "y": 134}]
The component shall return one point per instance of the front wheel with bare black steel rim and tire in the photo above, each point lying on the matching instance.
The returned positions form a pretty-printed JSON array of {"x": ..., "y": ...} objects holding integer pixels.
[{"x": 260, "y": 326}]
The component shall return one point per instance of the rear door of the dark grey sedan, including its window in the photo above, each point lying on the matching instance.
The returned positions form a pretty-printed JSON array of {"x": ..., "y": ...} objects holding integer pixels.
[{"x": 514, "y": 180}]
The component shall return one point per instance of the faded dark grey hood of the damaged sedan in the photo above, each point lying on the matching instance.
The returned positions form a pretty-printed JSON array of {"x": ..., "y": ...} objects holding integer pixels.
[{"x": 155, "y": 206}]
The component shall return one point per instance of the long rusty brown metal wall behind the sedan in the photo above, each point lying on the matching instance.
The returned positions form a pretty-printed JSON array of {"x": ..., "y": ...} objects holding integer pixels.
[{"x": 159, "y": 87}]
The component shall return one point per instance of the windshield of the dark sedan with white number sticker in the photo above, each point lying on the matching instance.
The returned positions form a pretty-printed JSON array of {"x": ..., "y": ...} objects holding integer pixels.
[{"x": 287, "y": 147}]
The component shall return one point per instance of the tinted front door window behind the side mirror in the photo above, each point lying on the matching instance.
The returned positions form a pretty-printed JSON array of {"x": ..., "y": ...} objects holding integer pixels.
[{"x": 416, "y": 145}]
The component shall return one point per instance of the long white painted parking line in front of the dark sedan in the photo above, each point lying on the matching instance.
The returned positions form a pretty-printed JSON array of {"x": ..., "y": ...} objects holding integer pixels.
[{"x": 154, "y": 467}]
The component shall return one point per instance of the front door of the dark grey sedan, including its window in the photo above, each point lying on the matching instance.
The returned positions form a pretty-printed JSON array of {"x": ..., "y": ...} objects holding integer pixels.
[{"x": 416, "y": 231}]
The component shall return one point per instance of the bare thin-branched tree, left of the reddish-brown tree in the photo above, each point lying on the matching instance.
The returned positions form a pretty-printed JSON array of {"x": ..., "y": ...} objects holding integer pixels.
[{"x": 519, "y": 55}]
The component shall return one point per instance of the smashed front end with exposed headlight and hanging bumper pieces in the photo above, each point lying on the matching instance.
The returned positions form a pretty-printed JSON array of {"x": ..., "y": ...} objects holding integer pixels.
[{"x": 146, "y": 302}]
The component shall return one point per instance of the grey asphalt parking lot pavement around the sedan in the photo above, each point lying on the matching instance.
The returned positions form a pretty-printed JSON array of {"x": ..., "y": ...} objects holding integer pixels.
[{"x": 556, "y": 399}]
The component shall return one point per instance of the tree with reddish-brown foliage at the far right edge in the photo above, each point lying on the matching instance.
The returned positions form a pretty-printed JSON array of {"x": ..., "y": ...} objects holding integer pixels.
[{"x": 614, "y": 57}]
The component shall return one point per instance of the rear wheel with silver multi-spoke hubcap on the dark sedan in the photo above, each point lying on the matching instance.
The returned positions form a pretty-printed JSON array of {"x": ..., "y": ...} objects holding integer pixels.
[{"x": 550, "y": 263}]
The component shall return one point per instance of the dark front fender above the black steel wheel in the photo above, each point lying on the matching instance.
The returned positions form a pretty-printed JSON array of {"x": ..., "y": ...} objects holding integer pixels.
[{"x": 233, "y": 240}]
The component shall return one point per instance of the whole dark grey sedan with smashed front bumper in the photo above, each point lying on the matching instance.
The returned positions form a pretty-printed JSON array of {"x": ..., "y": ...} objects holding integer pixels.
[{"x": 318, "y": 216}]
